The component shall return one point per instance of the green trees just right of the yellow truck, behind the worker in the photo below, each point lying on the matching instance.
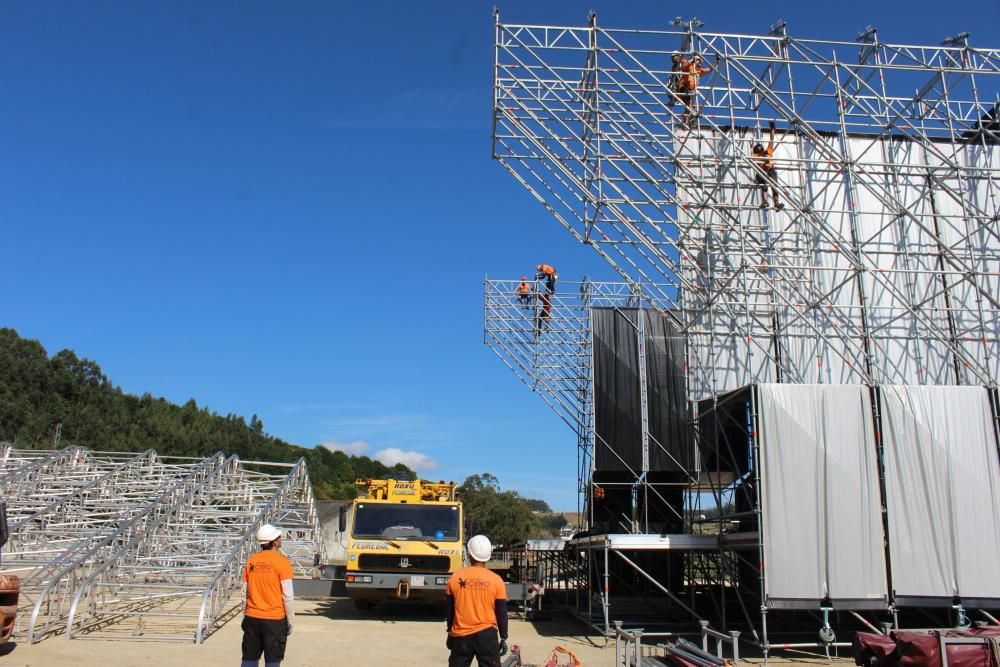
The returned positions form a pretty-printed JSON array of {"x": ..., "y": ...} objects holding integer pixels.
[{"x": 505, "y": 516}]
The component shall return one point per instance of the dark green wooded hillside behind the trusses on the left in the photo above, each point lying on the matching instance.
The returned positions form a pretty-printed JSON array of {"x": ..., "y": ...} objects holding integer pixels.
[{"x": 38, "y": 392}]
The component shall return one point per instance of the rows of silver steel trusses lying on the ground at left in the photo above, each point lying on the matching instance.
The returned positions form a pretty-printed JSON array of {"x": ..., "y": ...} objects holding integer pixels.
[{"x": 139, "y": 546}]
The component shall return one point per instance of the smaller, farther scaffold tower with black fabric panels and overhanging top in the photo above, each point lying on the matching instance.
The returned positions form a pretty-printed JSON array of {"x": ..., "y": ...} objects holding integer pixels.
[{"x": 609, "y": 363}]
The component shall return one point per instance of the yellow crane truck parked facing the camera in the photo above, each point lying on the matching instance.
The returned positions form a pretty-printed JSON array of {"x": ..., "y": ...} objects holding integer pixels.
[{"x": 405, "y": 541}]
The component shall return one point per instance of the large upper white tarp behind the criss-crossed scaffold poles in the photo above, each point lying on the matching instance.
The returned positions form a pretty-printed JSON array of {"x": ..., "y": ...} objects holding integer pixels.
[{"x": 777, "y": 295}]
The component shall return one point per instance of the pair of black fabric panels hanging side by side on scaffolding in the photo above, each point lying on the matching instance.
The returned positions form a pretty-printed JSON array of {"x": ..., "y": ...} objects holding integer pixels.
[{"x": 618, "y": 421}]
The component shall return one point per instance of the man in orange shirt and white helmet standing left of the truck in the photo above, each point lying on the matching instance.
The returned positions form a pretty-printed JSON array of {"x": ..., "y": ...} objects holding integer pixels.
[{"x": 269, "y": 601}]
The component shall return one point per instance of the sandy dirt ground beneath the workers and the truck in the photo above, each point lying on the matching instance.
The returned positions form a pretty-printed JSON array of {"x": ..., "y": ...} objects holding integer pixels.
[{"x": 326, "y": 634}]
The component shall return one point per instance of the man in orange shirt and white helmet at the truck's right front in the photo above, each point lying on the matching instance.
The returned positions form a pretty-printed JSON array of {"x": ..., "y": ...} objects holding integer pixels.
[{"x": 477, "y": 610}]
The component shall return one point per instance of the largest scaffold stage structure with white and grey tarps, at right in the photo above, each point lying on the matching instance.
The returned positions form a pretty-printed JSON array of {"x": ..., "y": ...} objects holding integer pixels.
[{"x": 875, "y": 277}]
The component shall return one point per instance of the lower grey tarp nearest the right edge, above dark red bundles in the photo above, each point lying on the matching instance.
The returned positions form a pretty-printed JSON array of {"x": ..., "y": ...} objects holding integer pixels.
[{"x": 942, "y": 485}]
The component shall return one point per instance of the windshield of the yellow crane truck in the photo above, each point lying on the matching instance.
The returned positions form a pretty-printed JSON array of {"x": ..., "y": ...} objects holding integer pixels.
[{"x": 407, "y": 522}]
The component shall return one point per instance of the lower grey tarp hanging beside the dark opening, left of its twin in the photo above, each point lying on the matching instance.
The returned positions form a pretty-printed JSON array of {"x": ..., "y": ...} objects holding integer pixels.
[{"x": 821, "y": 506}]
